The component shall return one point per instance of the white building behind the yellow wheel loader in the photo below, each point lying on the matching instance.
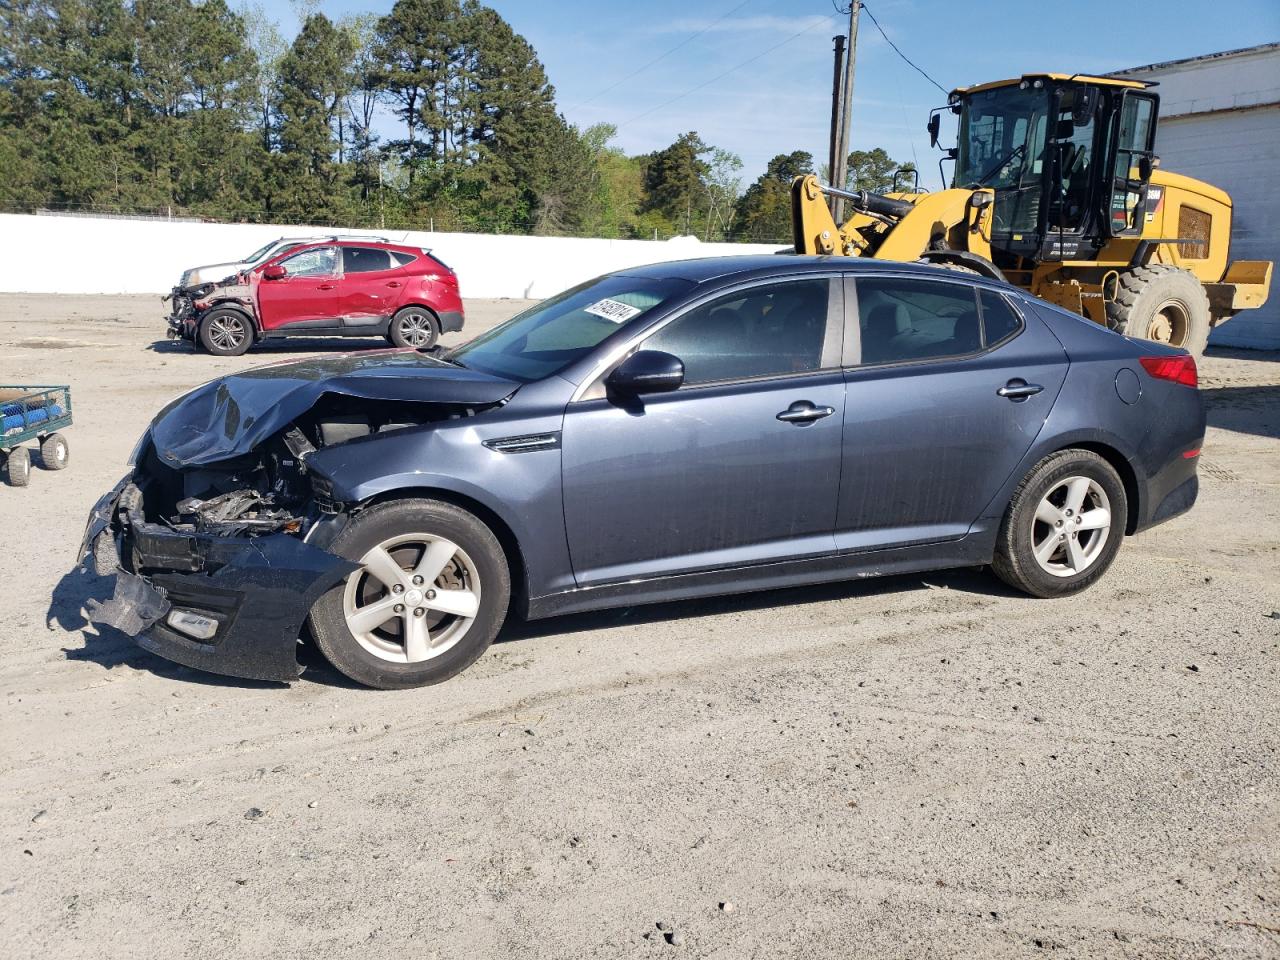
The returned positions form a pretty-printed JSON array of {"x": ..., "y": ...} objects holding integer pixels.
[{"x": 1220, "y": 124}]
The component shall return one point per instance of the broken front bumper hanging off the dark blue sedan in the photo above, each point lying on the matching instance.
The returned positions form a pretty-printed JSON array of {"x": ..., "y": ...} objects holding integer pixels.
[{"x": 258, "y": 591}]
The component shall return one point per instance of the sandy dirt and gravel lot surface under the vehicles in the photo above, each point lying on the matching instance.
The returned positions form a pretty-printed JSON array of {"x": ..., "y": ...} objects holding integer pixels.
[{"x": 913, "y": 767}]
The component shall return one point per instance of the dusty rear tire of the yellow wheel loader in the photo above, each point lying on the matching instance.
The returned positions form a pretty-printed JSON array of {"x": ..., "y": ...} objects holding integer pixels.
[{"x": 1162, "y": 304}]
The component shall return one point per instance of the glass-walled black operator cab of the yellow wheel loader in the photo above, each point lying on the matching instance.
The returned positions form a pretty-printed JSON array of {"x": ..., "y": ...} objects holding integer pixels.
[{"x": 1069, "y": 159}]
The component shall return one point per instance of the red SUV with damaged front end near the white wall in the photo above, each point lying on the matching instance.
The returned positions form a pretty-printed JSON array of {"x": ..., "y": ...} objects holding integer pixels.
[{"x": 330, "y": 289}]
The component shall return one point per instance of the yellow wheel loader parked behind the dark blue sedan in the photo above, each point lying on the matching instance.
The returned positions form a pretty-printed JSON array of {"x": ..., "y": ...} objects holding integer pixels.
[{"x": 1057, "y": 190}]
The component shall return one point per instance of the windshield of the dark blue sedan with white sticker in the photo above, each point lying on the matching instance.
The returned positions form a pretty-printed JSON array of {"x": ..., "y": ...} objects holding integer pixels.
[{"x": 551, "y": 336}]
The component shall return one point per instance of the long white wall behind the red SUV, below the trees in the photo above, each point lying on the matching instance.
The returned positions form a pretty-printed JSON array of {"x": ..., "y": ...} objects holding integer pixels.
[{"x": 88, "y": 255}]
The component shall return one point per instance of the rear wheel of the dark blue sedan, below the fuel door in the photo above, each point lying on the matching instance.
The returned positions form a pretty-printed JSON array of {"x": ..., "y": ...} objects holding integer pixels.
[{"x": 1064, "y": 525}]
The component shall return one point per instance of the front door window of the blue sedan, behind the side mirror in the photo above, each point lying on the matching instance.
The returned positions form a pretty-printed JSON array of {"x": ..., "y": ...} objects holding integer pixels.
[{"x": 764, "y": 332}]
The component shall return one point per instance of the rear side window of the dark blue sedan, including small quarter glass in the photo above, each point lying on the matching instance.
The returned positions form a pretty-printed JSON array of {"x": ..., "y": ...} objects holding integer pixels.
[{"x": 903, "y": 319}]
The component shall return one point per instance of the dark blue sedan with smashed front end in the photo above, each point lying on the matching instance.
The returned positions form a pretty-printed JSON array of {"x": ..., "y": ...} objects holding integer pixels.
[{"x": 666, "y": 432}]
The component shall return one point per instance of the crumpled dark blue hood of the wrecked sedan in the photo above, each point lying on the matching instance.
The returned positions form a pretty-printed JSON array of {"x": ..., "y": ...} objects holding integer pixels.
[{"x": 231, "y": 417}]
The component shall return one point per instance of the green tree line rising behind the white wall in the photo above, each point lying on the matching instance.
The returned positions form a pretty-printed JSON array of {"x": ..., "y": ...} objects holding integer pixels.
[{"x": 194, "y": 108}]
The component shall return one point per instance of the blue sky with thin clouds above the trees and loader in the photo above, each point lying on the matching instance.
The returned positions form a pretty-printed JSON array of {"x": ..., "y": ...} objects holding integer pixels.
[{"x": 781, "y": 100}]
